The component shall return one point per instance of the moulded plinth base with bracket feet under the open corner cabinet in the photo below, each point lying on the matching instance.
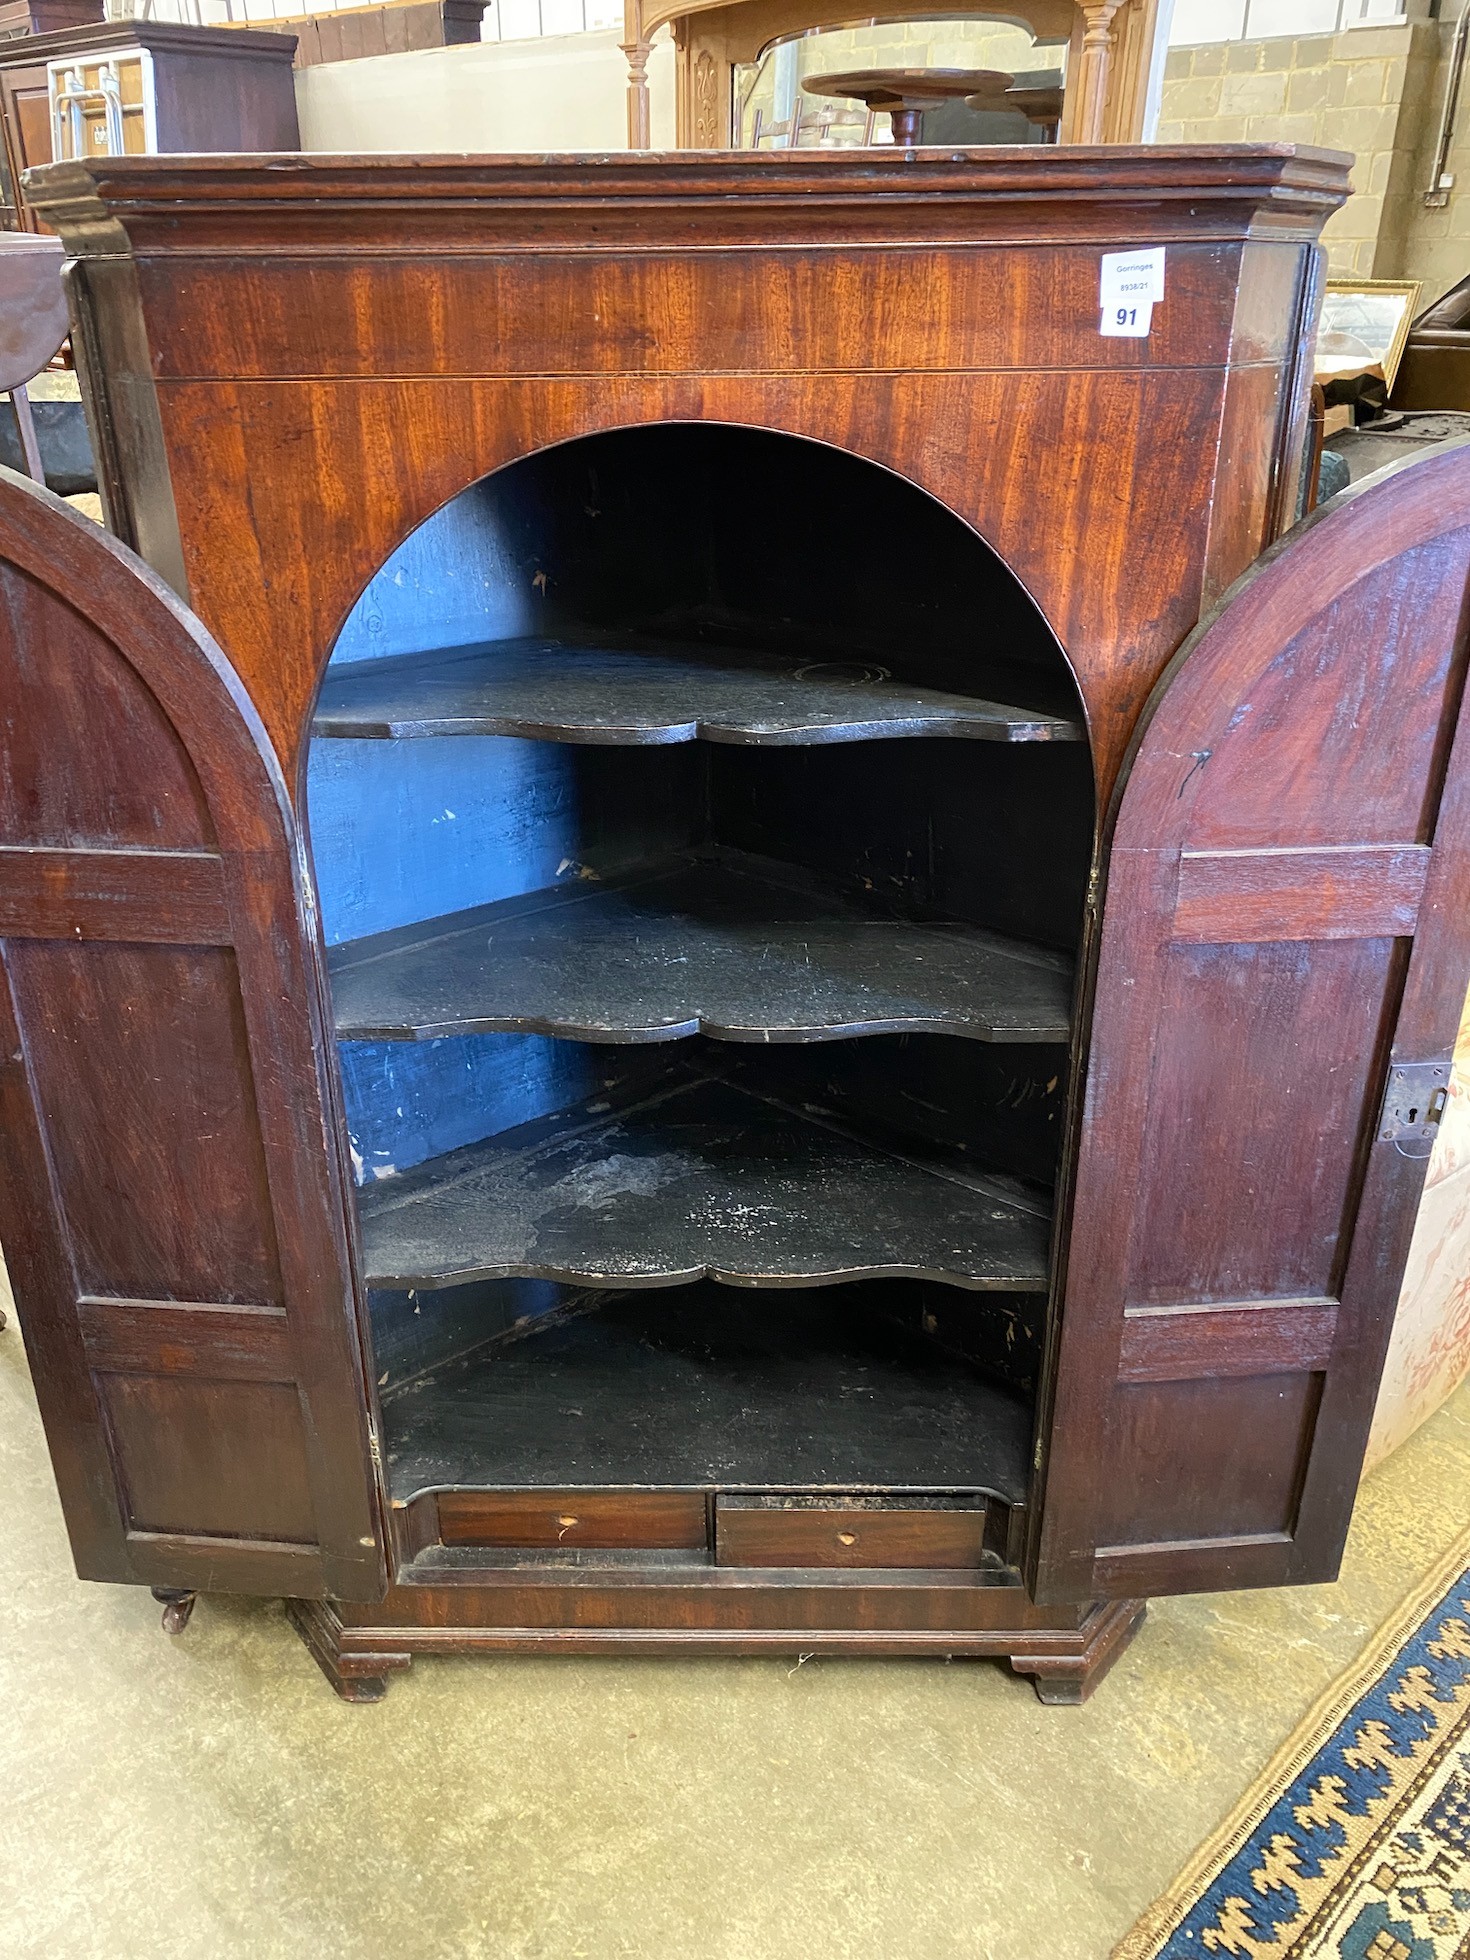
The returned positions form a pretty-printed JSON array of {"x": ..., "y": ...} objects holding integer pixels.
[{"x": 358, "y": 1647}]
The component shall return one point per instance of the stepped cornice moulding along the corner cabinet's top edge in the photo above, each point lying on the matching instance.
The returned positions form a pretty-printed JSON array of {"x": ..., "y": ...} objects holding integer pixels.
[{"x": 397, "y": 205}]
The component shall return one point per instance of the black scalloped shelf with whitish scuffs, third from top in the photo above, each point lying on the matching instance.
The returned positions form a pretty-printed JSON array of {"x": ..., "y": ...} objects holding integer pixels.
[{"x": 697, "y": 1181}]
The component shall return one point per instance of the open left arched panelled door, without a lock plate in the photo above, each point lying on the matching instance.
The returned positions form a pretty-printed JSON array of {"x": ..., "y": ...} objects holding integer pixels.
[{"x": 171, "y": 1200}]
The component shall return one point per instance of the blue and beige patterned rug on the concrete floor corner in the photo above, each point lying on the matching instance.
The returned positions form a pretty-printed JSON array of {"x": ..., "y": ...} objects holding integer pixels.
[{"x": 1355, "y": 1841}]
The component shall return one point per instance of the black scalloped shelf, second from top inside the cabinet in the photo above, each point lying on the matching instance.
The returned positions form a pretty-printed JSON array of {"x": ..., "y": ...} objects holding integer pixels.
[{"x": 701, "y": 944}]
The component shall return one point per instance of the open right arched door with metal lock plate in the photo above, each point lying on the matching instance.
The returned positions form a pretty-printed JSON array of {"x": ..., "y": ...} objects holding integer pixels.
[{"x": 1283, "y": 963}]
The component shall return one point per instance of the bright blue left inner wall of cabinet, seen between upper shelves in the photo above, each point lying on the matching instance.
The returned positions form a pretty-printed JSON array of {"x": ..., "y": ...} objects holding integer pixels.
[{"x": 407, "y": 832}]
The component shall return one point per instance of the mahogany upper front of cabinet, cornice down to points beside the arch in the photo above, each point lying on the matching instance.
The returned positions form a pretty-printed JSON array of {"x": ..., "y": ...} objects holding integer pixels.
[{"x": 295, "y": 362}]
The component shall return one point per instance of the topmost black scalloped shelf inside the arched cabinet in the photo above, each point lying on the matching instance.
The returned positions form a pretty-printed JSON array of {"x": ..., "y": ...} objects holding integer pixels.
[{"x": 654, "y": 693}]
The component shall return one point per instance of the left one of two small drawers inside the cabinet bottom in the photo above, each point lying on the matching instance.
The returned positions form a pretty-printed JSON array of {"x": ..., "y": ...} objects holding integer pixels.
[{"x": 603, "y": 1520}]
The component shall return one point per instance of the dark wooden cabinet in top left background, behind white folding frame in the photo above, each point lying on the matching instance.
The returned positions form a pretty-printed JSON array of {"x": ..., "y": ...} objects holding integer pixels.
[{"x": 138, "y": 87}]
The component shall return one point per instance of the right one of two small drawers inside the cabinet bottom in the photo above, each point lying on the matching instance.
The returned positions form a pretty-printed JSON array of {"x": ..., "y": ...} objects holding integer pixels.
[{"x": 850, "y": 1532}]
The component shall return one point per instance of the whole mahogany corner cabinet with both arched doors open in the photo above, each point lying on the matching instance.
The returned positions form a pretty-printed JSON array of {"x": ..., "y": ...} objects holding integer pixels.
[{"x": 661, "y": 991}]
